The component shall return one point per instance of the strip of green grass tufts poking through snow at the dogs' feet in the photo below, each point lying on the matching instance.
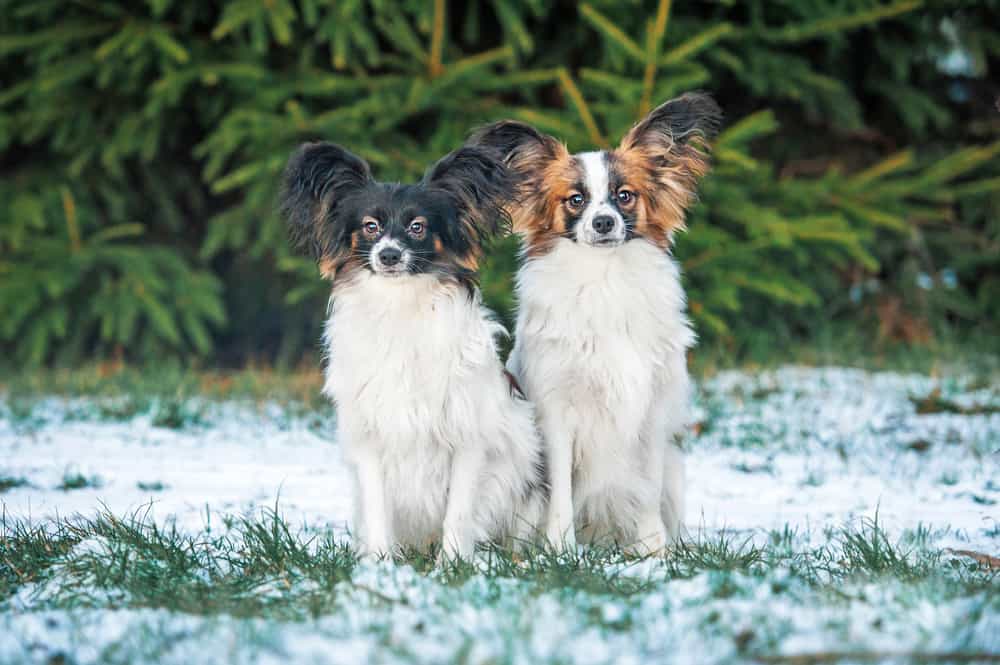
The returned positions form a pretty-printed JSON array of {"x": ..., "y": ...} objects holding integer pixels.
[{"x": 265, "y": 568}]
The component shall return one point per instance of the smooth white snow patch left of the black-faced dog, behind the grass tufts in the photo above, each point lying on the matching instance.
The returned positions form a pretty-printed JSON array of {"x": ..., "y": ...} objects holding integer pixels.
[{"x": 242, "y": 460}]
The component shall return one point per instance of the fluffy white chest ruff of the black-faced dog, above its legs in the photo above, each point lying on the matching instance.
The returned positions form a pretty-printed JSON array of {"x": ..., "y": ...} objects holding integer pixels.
[{"x": 397, "y": 348}]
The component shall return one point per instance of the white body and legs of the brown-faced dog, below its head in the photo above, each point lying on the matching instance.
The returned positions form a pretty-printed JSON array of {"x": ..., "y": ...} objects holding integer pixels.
[{"x": 601, "y": 344}]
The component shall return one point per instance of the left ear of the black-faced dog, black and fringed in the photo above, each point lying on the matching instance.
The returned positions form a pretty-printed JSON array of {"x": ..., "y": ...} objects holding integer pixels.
[{"x": 316, "y": 180}]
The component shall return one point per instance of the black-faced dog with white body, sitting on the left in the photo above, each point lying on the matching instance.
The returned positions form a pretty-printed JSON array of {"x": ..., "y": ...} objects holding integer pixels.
[{"x": 443, "y": 449}]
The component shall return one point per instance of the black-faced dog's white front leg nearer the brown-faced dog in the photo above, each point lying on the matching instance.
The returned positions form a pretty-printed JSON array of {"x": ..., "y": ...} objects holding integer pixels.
[{"x": 459, "y": 531}]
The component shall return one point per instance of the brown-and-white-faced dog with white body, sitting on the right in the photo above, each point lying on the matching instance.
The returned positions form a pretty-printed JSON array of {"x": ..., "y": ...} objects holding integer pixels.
[{"x": 602, "y": 333}]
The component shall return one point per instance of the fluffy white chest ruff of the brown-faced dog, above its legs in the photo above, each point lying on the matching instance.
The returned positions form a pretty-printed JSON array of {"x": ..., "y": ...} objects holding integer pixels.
[{"x": 605, "y": 326}]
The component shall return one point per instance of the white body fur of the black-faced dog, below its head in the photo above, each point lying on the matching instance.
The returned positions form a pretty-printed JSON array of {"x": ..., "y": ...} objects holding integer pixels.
[{"x": 441, "y": 451}]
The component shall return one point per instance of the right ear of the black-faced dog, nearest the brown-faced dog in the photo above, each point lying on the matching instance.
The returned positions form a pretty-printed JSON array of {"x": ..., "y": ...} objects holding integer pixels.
[{"x": 480, "y": 186}]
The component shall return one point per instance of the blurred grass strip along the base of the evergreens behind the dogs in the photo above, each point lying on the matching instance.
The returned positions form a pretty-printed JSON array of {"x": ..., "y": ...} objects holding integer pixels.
[{"x": 176, "y": 396}]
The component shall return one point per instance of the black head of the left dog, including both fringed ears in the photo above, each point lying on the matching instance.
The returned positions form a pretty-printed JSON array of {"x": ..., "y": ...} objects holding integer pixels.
[{"x": 352, "y": 222}]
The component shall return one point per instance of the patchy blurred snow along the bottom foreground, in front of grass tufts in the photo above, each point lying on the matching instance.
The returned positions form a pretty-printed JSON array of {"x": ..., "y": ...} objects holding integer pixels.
[{"x": 702, "y": 620}]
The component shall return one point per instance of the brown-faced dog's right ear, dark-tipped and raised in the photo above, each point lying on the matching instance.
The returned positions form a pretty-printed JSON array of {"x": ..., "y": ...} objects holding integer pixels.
[{"x": 678, "y": 131}]
